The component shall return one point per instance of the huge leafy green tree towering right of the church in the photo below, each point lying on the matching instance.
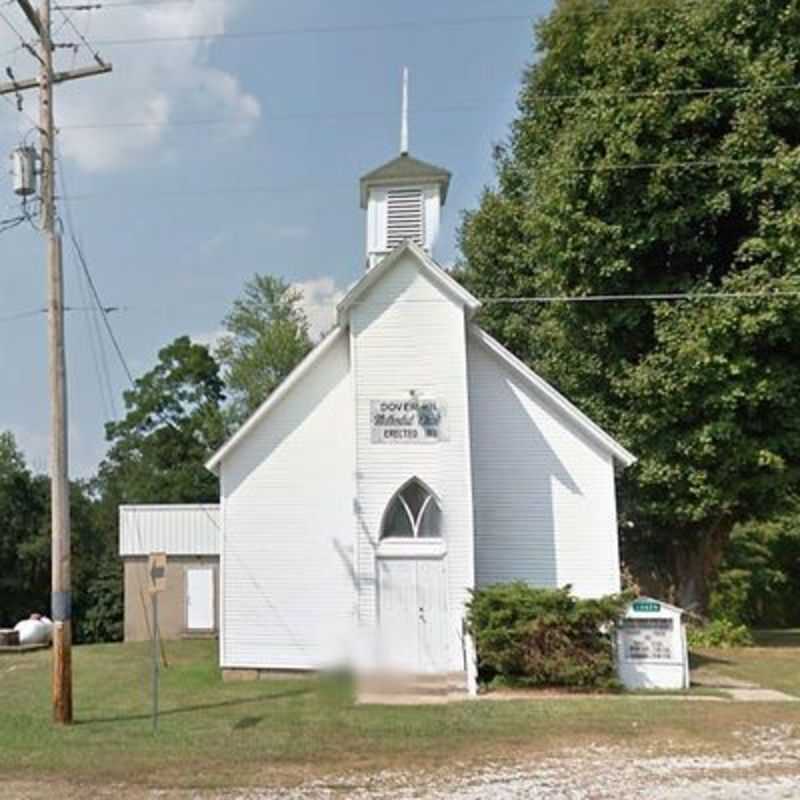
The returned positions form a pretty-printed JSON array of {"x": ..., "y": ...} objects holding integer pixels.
[{"x": 656, "y": 150}]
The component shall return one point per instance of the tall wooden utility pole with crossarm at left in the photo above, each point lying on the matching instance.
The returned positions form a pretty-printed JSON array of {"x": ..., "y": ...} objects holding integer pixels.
[{"x": 59, "y": 465}]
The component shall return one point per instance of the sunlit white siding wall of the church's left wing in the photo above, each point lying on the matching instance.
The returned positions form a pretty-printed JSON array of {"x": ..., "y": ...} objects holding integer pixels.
[{"x": 289, "y": 595}]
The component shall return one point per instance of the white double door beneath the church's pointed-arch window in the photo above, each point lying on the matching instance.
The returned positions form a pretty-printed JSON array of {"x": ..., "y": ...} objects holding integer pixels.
[{"x": 412, "y": 614}]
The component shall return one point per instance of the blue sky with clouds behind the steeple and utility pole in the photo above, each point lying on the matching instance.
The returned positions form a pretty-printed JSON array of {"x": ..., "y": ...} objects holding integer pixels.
[{"x": 174, "y": 217}]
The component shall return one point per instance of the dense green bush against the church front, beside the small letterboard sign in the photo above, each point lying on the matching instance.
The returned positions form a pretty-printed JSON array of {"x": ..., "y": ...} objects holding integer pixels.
[{"x": 542, "y": 638}]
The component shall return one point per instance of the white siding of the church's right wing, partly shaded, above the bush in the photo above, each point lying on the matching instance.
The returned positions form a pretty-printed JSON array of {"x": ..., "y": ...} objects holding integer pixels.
[{"x": 545, "y": 509}]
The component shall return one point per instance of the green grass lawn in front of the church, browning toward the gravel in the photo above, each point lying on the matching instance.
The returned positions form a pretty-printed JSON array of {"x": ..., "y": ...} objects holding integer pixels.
[{"x": 279, "y": 731}]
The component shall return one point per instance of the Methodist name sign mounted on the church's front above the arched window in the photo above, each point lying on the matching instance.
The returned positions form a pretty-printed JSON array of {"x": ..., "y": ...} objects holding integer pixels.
[{"x": 407, "y": 421}]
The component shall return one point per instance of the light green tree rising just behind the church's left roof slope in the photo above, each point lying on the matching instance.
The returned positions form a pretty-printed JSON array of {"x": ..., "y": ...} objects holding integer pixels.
[{"x": 267, "y": 334}]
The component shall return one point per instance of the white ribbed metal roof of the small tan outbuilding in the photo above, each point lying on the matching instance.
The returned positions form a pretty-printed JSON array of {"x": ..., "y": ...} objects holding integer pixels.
[{"x": 178, "y": 530}]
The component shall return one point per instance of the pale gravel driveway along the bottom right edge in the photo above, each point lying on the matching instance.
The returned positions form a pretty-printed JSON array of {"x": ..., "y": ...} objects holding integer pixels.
[{"x": 767, "y": 768}]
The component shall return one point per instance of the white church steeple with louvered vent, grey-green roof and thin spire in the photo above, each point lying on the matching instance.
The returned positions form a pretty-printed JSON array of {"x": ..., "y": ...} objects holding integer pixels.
[{"x": 403, "y": 198}]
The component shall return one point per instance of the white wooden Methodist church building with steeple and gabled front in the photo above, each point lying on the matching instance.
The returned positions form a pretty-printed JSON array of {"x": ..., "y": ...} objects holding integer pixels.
[{"x": 407, "y": 460}]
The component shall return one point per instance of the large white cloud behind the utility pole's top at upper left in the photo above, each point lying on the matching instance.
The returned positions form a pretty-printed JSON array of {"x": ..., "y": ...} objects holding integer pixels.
[{"x": 152, "y": 82}]
